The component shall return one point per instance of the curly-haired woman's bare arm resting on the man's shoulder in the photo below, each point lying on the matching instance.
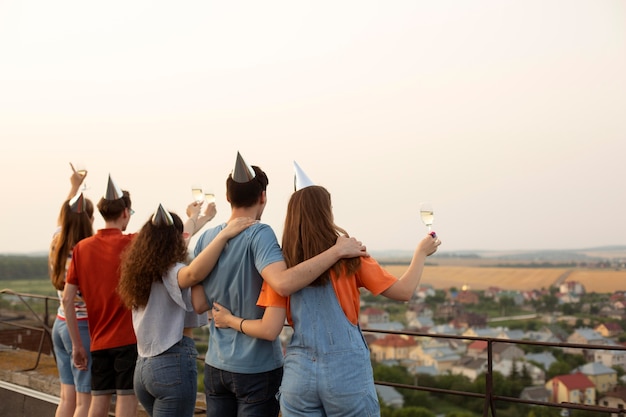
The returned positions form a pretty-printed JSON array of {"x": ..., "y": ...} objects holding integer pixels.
[{"x": 200, "y": 267}]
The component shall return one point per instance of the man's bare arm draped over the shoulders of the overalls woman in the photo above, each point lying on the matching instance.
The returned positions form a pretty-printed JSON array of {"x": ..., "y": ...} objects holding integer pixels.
[{"x": 287, "y": 281}]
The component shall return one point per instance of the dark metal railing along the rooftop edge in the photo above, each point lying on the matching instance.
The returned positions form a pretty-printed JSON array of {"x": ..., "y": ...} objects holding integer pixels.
[{"x": 489, "y": 397}]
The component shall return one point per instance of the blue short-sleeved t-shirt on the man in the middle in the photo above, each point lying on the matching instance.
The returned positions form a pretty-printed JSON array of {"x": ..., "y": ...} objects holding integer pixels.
[{"x": 235, "y": 283}]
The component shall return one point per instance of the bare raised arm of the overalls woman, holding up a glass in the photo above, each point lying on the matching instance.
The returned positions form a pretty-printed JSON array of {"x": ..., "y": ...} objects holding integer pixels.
[{"x": 405, "y": 287}]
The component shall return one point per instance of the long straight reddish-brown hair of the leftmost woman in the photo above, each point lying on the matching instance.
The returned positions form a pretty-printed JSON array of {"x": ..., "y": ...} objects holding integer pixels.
[{"x": 74, "y": 227}]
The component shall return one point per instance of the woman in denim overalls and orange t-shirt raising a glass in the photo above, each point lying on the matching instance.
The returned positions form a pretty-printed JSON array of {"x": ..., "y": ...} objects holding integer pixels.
[{"x": 327, "y": 364}]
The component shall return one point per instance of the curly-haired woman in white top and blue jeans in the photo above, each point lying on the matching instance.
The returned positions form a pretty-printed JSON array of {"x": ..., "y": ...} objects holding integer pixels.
[{"x": 155, "y": 283}]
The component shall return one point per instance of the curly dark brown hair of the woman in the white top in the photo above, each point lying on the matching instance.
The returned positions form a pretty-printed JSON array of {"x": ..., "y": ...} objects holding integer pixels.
[{"x": 151, "y": 253}]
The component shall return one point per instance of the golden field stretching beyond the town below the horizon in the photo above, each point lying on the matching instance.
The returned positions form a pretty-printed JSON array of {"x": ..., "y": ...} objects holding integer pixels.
[{"x": 480, "y": 278}]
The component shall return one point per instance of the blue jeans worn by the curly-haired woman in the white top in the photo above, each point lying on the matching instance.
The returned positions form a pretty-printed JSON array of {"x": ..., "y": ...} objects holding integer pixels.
[{"x": 167, "y": 384}]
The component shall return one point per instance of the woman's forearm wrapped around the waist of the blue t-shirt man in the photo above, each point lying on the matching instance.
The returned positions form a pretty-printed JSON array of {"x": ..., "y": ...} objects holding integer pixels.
[{"x": 268, "y": 327}]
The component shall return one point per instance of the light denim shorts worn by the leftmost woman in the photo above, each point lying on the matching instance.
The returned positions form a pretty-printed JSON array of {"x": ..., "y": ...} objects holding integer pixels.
[{"x": 68, "y": 373}]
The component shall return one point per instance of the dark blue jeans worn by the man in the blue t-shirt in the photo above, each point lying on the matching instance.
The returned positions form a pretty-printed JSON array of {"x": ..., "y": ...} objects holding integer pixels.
[{"x": 230, "y": 394}]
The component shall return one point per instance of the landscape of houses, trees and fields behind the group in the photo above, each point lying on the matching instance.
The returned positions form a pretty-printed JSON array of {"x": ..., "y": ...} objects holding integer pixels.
[{"x": 489, "y": 294}]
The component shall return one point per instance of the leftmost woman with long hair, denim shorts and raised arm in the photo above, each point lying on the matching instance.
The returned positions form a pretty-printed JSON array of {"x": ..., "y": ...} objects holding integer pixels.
[{"x": 75, "y": 223}]
